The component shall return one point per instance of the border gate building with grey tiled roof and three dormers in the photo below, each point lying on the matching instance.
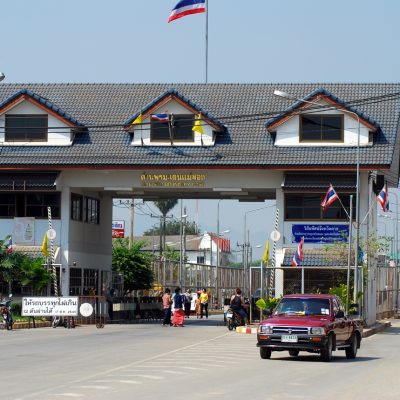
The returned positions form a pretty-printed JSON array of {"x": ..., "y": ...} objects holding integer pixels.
[{"x": 75, "y": 147}]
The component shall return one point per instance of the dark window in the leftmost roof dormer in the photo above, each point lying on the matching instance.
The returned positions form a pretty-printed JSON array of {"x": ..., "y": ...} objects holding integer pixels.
[{"x": 26, "y": 128}]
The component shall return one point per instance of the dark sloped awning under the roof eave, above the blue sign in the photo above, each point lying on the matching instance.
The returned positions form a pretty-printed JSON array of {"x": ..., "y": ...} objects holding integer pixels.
[{"x": 319, "y": 181}]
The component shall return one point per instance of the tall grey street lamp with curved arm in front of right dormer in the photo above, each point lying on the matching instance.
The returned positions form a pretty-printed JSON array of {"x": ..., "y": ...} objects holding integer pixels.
[{"x": 290, "y": 97}]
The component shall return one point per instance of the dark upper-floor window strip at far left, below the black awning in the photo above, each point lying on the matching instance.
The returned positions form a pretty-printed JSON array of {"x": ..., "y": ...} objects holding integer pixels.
[{"x": 29, "y": 205}]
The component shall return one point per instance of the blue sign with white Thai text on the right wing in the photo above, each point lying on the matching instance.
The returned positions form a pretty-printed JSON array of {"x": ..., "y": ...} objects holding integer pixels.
[{"x": 319, "y": 233}]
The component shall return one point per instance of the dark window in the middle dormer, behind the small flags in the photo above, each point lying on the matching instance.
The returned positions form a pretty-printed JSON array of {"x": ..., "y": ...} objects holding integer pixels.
[{"x": 180, "y": 128}]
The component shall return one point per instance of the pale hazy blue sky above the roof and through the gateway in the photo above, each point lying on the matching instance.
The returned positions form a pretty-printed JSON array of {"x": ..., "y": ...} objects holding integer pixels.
[{"x": 257, "y": 41}]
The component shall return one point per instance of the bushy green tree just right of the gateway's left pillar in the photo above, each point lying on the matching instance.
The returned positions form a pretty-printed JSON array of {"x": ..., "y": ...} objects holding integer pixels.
[{"x": 133, "y": 264}]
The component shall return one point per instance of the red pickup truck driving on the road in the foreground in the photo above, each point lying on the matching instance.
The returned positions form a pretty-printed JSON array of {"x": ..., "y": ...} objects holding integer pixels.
[{"x": 310, "y": 322}]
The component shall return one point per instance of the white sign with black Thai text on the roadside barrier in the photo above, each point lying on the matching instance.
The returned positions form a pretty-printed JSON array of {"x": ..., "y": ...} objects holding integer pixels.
[{"x": 50, "y": 306}]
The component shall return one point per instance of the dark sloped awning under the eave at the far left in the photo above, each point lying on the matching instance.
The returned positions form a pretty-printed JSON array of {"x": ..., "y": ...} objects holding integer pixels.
[{"x": 28, "y": 180}]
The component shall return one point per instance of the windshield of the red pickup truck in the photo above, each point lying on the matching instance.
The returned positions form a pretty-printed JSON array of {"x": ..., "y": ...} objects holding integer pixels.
[{"x": 303, "y": 306}]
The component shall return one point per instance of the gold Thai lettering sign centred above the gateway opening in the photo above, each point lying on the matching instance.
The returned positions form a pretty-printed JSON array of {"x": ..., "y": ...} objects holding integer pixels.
[{"x": 173, "y": 180}]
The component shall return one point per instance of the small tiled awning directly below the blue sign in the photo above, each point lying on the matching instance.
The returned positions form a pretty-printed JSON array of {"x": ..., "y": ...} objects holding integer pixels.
[{"x": 317, "y": 258}]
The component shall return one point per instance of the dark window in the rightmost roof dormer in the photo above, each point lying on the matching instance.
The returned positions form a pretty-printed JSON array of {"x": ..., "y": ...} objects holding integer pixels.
[{"x": 321, "y": 128}]
